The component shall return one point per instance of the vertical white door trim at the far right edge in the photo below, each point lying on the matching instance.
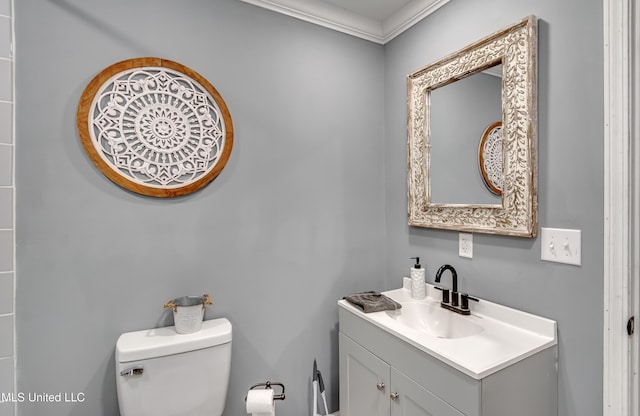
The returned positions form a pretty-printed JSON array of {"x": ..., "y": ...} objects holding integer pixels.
[{"x": 617, "y": 220}]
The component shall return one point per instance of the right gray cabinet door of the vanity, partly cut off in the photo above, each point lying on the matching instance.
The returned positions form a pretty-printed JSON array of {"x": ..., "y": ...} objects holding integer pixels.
[{"x": 411, "y": 399}]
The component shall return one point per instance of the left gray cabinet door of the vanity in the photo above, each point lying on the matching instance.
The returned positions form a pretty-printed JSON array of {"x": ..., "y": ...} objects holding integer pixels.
[{"x": 364, "y": 381}]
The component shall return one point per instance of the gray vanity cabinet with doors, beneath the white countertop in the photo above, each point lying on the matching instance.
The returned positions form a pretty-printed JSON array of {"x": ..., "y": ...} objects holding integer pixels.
[{"x": 382, "y": 375}]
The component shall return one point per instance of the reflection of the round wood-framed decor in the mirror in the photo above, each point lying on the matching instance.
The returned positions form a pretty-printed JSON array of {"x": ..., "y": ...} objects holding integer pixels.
[{"x": 490, "y": 158}]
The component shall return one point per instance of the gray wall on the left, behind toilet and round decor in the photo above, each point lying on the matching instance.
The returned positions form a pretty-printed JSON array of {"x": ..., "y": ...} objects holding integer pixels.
[{"x": 293, "y": 223}]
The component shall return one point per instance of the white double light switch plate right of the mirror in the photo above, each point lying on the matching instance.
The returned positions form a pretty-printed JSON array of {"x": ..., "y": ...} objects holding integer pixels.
[{"x": 561, "y": 246}]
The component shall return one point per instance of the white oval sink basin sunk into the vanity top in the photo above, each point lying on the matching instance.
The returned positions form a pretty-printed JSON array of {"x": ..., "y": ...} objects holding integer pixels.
[{"x": 430, "y": 318}]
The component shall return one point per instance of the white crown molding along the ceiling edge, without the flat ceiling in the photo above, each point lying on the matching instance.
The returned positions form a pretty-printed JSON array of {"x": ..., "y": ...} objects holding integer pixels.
[{"x": 351, "y": 23}]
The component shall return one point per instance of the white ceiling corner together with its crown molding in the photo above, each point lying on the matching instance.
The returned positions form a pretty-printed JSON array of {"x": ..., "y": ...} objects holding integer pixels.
[{"x": 374, "y": 20}]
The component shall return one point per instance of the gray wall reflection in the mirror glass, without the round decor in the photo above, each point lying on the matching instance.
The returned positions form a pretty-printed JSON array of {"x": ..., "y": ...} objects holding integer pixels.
[{"x": 460, "y": 114}]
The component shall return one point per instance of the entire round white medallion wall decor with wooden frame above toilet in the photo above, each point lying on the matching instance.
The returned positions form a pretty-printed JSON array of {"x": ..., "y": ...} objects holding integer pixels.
[{"x": 155, "y": 127}]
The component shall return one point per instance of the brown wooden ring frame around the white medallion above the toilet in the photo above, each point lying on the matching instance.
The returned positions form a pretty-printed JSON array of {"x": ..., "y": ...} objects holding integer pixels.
[{"x": 82, "y": 121}]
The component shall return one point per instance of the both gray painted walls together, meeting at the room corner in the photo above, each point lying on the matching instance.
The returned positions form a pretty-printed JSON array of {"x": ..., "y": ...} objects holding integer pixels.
[{"x": 298, "y": 218}]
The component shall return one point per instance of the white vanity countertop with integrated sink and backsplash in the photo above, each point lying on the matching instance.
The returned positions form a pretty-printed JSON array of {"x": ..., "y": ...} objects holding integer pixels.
[{"x": 491, "y": 338}]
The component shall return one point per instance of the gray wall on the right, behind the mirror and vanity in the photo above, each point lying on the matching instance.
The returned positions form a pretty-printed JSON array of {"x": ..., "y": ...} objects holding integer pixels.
[{"x": 570, "y": 132}]
